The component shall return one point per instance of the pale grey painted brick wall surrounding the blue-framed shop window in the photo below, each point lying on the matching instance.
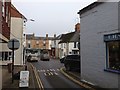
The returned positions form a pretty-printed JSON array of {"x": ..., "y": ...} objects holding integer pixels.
[{"x": 102, "y": 19}]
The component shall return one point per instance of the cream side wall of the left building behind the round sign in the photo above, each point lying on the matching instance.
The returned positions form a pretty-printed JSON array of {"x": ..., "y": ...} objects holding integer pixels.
[{"x": 17, "y": 33}]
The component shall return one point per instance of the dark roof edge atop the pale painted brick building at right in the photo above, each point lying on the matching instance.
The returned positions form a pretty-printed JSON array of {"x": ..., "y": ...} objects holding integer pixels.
[{"x": 89, "y": 7}]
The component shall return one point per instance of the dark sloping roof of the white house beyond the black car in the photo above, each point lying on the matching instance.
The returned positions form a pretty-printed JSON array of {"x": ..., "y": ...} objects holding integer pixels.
[{"x": 70, "y": 37}]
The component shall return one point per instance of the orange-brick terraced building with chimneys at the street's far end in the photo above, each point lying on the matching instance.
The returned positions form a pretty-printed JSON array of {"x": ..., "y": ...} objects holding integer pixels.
[{"x": 37, "y": 42}]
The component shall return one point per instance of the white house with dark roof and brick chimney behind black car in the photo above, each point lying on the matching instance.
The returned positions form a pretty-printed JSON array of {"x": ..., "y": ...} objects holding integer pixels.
[{"x": 68, "y": 43}]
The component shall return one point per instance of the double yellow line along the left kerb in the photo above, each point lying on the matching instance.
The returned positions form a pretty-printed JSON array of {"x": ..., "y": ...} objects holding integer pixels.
[{"x": 40, "y": 85}]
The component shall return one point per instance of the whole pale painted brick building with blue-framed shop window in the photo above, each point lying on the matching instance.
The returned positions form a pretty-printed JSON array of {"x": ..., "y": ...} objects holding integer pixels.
[{"x": 100, "y": 44}]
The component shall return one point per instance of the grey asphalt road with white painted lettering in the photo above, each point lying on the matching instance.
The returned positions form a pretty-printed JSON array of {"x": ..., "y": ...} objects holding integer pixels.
[{"x": 51, "y": 77}]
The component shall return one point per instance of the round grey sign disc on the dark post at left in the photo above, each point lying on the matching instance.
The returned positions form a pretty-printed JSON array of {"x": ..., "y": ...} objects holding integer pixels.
[{"x": 15, "y": 42}]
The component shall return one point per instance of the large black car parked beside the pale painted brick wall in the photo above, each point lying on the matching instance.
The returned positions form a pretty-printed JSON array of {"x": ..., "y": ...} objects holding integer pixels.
[{"x": 72, "y": 62}]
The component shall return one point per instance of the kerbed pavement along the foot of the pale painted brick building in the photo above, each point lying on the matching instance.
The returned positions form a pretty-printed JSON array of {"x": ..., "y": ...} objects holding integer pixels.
[{"x": 75, "y": 77}]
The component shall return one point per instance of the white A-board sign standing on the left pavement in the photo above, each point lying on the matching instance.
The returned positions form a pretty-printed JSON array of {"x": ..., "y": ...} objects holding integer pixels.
[{"x": 24, "y": 79}]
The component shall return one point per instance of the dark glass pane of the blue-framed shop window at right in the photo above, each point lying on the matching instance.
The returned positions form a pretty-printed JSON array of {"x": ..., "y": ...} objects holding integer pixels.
[{"x": 113, "y": 55}]
